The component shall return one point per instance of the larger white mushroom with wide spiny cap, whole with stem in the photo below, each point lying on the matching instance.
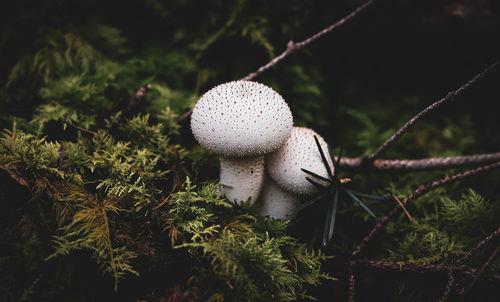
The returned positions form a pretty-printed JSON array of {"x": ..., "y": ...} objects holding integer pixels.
[{"x": 241, "y": 121}]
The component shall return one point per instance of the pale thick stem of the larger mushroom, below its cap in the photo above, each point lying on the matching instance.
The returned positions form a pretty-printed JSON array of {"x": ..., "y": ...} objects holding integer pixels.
[{"x": 245, "y": 176}]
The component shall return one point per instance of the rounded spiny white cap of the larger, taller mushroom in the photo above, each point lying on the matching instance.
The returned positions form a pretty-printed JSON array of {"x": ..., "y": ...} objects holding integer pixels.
[{"x": 241, "y": 119}]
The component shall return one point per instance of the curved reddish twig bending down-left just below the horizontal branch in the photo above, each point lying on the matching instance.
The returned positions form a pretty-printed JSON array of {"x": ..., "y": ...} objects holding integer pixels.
[{"x": 419, "y": 192}]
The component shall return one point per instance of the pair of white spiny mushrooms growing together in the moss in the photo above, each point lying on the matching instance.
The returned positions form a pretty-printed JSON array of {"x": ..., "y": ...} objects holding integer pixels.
[{"x": 250, "y": 126}]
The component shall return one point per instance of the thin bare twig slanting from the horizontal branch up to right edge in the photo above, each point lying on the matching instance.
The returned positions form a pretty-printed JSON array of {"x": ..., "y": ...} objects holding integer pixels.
[{"x": 449, "y": 97}]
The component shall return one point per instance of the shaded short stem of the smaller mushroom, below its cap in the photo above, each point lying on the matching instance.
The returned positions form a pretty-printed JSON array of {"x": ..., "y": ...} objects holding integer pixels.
[{"x": 276, "y": 202}]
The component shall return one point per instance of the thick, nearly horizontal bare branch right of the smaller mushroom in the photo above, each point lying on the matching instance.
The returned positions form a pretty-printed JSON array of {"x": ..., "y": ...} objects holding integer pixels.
[{"x": 413, "y": 165}]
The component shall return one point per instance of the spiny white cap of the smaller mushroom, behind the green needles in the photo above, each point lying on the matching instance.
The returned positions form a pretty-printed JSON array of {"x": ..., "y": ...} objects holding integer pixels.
[{"x": 299, "y": 151}]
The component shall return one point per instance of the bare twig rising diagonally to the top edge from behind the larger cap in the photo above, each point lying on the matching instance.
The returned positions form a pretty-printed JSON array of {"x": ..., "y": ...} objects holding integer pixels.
[{"x": 292, "y": 47}]
